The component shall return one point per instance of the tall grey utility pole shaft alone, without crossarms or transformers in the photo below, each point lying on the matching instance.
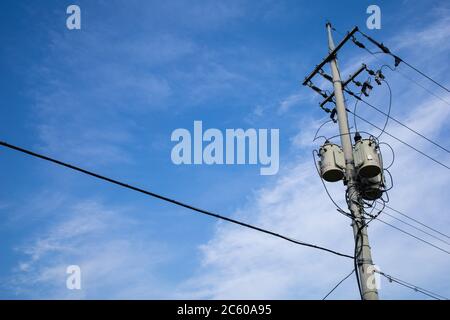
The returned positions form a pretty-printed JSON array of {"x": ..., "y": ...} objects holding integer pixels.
[{"x": 363, "y": 254}]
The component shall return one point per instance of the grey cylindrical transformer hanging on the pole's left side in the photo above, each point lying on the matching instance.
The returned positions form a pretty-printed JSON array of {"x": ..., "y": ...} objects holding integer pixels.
[{"x": 331, "y": 162}]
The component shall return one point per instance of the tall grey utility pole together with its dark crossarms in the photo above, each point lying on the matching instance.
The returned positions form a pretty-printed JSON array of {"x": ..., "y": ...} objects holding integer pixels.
[{"x": 363, "y": 258}]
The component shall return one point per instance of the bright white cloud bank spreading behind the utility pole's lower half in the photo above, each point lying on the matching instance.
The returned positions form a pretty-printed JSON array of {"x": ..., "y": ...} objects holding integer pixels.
[{"x": 239, "y": 263}]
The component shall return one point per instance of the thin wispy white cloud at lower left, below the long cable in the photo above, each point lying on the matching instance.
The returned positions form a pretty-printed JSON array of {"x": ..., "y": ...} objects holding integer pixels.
[{"x": 116, "y": 260}]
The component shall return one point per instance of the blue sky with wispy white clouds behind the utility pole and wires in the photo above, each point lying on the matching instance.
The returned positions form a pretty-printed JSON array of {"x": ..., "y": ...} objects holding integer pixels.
[{"x": 107, "y": 97}]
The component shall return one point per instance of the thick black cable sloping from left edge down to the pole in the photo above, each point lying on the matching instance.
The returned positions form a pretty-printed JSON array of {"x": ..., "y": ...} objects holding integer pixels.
[{"x": 176, "y": 202}]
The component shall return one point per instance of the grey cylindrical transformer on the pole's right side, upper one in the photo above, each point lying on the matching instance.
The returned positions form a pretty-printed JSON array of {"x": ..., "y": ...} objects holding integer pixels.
[{"x": 367, "y": 159}]
